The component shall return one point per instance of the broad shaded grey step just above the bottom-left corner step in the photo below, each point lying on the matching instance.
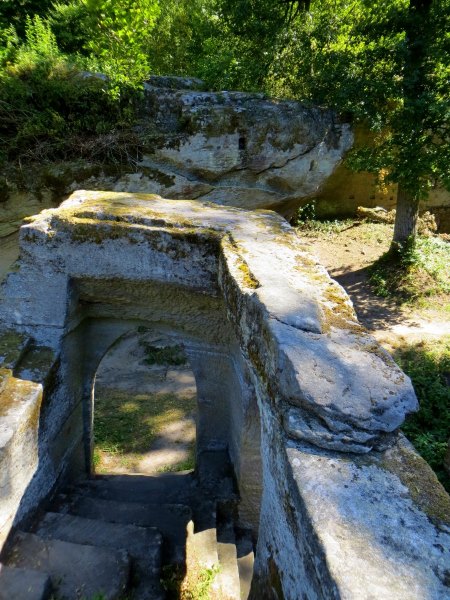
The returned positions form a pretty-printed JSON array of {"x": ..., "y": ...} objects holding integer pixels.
[{"x": 75, "y": 570}]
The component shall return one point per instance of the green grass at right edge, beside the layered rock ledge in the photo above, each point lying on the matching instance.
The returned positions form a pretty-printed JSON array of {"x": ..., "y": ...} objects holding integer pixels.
[{"x": 428, "y": 365}]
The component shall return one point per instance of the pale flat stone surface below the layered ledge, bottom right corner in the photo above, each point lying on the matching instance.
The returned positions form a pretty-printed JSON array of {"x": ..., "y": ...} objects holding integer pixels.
[{"x": 378, "y": 542}]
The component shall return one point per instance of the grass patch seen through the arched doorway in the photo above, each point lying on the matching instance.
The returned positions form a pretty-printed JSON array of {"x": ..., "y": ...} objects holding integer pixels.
[{"x": 125, "y": 425}]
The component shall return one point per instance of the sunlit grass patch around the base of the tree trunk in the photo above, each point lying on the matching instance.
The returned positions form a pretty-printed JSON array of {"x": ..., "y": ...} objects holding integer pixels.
[{"x": 413, "y": 271}]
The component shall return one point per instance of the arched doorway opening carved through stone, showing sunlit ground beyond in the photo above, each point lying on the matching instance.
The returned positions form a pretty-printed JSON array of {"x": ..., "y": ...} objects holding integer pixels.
[{"x": 145, "y": 407}]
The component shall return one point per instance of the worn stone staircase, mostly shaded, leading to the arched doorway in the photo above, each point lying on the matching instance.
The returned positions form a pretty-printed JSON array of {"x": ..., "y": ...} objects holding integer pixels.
[{"x": 117, "y": 537}]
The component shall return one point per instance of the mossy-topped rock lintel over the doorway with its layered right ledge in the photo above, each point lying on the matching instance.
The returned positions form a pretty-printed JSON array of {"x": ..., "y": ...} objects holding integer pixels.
[{"x": 333, "y": 385}]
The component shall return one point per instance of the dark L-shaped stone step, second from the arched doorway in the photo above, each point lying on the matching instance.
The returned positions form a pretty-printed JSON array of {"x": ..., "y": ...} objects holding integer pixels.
[{"x": 170, "y": 519}]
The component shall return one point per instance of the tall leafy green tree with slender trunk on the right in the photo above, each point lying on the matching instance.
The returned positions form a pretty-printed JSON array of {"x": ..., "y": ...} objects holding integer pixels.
[{"x": 388, "y": 65}]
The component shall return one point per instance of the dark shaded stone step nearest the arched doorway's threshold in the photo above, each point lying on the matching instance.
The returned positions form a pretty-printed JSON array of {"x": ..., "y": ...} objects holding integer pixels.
[{"x": 167, "y": 488}]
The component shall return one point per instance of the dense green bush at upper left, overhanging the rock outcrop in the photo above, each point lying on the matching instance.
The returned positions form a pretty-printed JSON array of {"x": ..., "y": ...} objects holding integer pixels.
[{"x": 47, "y": 101}]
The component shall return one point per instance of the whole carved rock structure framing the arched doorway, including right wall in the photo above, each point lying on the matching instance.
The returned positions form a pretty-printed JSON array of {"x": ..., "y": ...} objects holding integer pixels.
[{"x": 266, "y": 331}]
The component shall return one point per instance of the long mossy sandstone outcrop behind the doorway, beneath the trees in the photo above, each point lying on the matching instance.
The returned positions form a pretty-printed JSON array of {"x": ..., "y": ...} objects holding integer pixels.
[{"x": 230, "y": 148}]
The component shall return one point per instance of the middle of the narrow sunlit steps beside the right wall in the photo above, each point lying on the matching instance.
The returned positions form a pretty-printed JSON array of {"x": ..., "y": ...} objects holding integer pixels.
[{"x": 229, "y": 571}]
